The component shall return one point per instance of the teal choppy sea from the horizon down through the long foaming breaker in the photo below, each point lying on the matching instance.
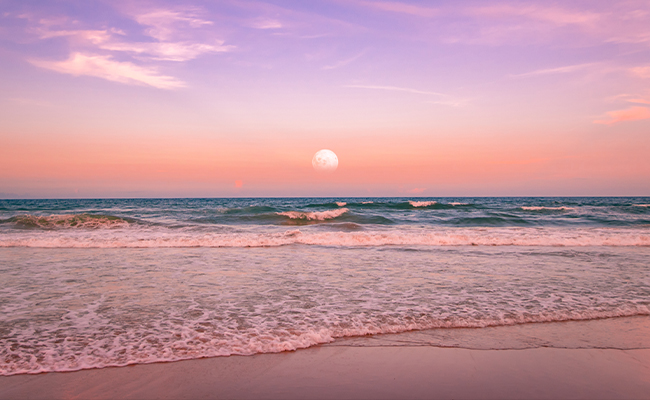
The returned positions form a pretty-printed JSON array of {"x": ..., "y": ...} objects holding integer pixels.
[{"x": 318, "y": 221}]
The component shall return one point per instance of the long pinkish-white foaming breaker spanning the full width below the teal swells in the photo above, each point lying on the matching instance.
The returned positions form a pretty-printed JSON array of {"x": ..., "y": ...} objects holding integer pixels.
[{"x": 349, "y": 237}]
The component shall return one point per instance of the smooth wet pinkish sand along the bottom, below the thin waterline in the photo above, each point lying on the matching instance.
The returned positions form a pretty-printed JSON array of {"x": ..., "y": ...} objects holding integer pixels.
[{"x": 360, "y": 372}]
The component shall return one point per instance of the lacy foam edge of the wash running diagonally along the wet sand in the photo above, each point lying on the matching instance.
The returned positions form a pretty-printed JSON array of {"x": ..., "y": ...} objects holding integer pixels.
[{"x": 191, "y": 342}]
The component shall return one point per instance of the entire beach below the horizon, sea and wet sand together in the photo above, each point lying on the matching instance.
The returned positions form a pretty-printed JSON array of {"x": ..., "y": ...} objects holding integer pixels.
[{"x": 325, "y": 298}]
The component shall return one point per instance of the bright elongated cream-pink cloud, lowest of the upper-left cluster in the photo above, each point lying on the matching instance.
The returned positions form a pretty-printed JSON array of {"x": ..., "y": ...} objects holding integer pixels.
[{"x": 109, "y": 69}]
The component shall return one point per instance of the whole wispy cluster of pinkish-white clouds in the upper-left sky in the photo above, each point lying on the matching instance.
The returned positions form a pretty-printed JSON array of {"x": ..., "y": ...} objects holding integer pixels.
[{"x": 94, "y": 52}]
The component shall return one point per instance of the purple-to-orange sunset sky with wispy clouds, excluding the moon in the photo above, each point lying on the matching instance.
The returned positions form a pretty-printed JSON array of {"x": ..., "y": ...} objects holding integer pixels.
[{"x": 233, "y": 98}]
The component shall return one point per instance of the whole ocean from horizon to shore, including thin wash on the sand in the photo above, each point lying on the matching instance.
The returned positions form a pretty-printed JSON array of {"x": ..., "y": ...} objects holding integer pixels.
[{"x": 114, "y": 282}]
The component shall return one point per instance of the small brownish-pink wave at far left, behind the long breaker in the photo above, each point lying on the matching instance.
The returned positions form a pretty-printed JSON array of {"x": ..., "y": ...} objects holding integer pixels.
[{"x": 49, "y": 222}]
